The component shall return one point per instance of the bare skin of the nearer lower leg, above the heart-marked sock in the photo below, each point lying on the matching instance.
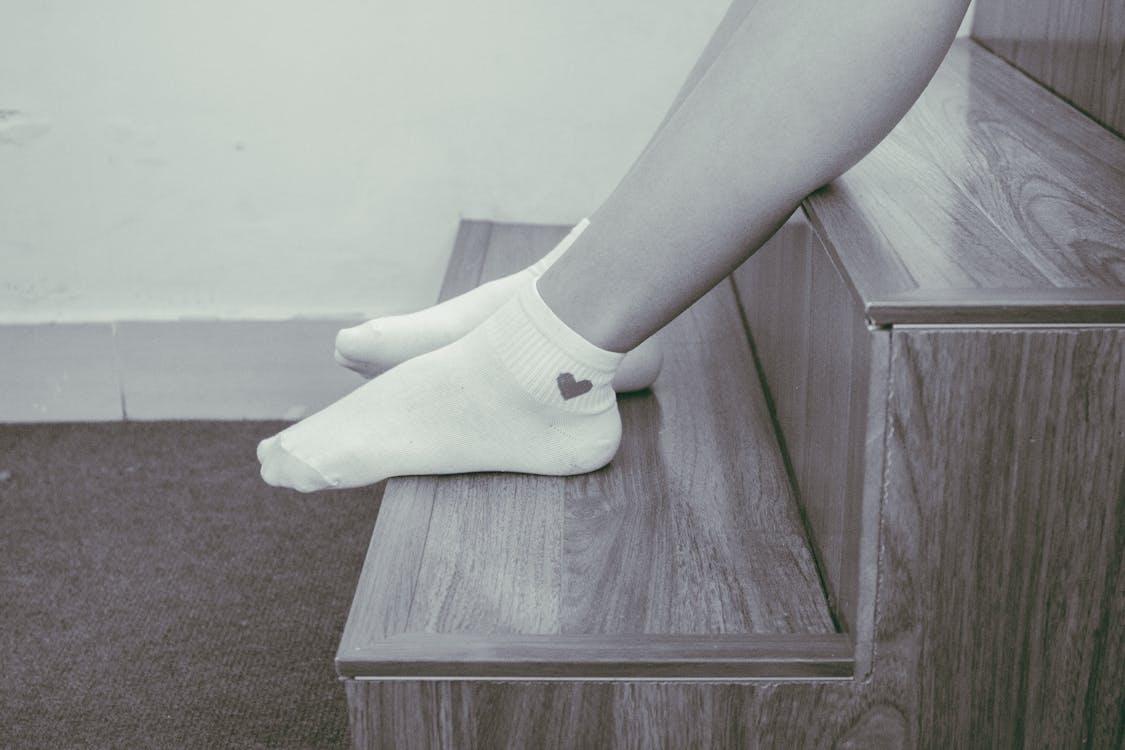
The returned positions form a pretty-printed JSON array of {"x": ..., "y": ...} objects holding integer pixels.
[{"x": 802, "y": 92}]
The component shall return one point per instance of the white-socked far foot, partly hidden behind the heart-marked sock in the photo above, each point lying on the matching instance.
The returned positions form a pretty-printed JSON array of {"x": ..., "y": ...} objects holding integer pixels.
[{"x": 375, "y": 347}]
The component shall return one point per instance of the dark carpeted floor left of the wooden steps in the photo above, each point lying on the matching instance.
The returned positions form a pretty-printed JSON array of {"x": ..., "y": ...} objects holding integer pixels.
[{"x": 155, "y": 593}]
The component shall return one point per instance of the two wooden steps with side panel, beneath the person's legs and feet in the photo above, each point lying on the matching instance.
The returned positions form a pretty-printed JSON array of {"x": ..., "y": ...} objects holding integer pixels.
[{"x": 897, "y": 521}]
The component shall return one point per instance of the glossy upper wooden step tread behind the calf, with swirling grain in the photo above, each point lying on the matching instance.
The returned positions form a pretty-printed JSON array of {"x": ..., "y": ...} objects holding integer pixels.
[{"x": 993, "y": 202}]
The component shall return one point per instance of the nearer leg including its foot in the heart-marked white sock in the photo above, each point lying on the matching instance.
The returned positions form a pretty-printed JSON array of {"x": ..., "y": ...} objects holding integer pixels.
[{"x": 802, "y": 91}]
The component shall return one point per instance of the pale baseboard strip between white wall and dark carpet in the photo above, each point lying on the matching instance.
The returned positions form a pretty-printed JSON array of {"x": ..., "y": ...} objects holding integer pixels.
[{"x": 169, "y": 371}]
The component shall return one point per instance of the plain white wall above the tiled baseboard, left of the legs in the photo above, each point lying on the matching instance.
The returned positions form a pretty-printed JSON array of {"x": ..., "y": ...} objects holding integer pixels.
[{"x": 268, "y": 159}]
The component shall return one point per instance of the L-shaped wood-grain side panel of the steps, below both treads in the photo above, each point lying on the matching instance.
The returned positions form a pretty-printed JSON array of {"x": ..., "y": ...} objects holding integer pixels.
[{"x": 1001, "y": 607}]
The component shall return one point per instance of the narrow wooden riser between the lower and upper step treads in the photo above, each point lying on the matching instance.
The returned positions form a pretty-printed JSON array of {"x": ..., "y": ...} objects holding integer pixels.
[{"x": 825, "y": 372}]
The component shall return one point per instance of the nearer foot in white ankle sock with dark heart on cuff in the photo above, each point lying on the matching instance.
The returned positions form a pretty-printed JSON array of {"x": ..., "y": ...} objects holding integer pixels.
[{"x": 520, "y": 393}]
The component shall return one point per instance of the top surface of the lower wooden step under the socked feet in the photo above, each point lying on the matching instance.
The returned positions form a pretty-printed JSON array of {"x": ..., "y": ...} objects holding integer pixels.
[{"x": 692, "y": 529}]
